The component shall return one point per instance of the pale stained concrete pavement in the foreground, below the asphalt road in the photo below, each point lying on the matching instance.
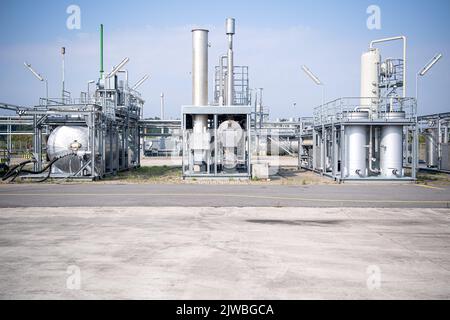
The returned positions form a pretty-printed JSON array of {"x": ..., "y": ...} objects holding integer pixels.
[{"x": 224, "y": 253}]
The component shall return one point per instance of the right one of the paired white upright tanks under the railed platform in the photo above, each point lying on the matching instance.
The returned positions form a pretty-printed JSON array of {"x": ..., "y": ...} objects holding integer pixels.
[{"x": 391, "y": 147}]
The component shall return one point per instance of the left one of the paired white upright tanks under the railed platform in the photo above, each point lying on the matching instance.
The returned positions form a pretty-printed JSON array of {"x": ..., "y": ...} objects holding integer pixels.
[{"x": 356, "y": 146}]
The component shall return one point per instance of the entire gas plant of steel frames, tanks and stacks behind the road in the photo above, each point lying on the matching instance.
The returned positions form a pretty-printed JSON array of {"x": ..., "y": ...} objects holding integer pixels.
[{"x": 375, "y": 136}]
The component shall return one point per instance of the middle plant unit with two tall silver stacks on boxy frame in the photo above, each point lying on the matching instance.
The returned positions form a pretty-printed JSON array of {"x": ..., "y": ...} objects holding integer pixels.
[{"x": 216, "y": 138}]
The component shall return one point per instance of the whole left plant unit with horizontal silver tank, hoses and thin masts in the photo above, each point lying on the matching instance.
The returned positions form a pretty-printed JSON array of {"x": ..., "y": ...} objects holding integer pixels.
[{"x": 88, "y": 137}]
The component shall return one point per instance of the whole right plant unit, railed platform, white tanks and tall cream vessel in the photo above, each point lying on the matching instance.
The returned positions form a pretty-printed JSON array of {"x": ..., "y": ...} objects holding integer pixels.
[{"x": 371, "y": 137}]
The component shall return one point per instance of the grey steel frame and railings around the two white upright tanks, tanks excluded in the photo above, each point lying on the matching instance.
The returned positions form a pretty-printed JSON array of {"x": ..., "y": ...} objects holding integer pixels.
[{"x": 330, "y": 145}]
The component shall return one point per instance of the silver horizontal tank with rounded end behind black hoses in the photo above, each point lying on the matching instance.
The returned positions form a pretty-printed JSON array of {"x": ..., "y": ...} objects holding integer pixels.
[{"x": 62, "y": 141}]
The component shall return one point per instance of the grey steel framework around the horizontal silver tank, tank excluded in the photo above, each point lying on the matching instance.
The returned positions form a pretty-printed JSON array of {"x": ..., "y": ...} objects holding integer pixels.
[{"x": 111, "y": 117}]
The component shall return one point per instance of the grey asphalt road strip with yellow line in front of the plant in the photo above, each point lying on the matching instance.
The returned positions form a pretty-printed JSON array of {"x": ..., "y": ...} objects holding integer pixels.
[{"x": 203, "y": 195}]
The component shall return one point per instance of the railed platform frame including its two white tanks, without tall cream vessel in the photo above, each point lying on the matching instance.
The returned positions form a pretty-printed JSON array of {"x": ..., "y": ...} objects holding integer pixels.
[{"x": 351, "y": 145}]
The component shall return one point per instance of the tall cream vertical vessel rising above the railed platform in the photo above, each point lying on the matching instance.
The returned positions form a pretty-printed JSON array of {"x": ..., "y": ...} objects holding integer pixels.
[{"x": 370, "y": 92}]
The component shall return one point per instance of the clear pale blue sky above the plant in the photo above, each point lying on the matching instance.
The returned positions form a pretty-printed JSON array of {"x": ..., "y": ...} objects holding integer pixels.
[{"x": 273, "y": 37}]
